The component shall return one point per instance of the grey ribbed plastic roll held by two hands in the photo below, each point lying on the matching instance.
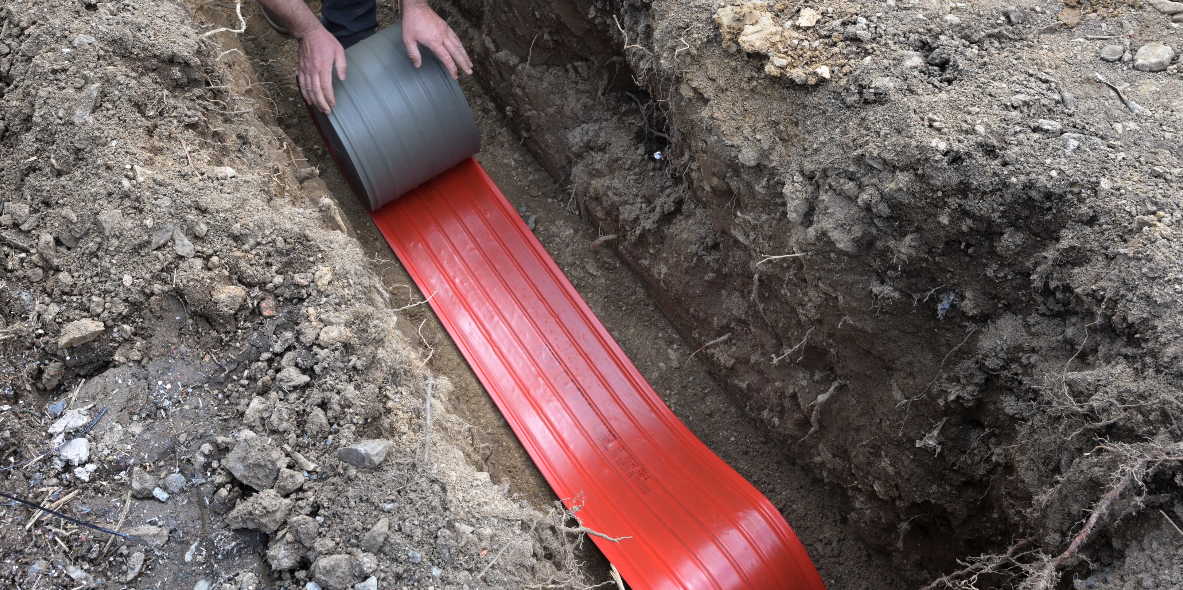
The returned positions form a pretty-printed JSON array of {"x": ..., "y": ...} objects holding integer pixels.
[{"x": 396, "y": 127}]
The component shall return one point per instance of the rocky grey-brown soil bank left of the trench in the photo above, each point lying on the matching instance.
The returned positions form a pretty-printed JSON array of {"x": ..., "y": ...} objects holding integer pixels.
[{"x": 197, "y": 352}]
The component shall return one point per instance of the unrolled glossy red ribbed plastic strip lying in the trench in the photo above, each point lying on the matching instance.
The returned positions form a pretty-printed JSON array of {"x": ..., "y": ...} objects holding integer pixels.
[{"x": 599, "y": 433}]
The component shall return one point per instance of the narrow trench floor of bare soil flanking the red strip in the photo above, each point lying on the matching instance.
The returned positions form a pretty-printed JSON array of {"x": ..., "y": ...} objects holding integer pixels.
[{"x": 814, "y": 510}]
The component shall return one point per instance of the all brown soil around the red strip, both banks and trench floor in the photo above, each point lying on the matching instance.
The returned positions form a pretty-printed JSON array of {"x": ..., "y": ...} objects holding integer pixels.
[{"x": 968, "y": 339}]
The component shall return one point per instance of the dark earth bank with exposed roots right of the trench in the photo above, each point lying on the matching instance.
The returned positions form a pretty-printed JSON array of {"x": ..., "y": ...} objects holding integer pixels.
[{"x": 945, "y": 276}]
